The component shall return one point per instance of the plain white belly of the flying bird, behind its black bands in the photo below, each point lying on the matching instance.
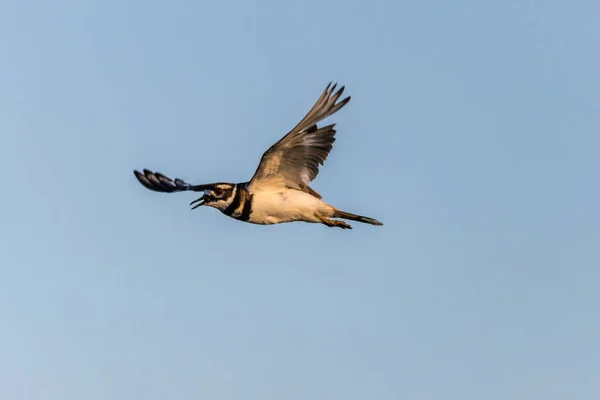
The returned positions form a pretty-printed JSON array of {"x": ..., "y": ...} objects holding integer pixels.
[{"x": 287, "y": 205}]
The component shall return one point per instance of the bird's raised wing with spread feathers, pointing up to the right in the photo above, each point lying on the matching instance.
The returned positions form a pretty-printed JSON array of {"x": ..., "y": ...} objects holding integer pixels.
[{"x": 294, "y": 160}]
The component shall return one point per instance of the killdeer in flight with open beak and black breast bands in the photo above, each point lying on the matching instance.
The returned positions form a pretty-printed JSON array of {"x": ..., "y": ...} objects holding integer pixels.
[{"x": 278, "y": 192}]
